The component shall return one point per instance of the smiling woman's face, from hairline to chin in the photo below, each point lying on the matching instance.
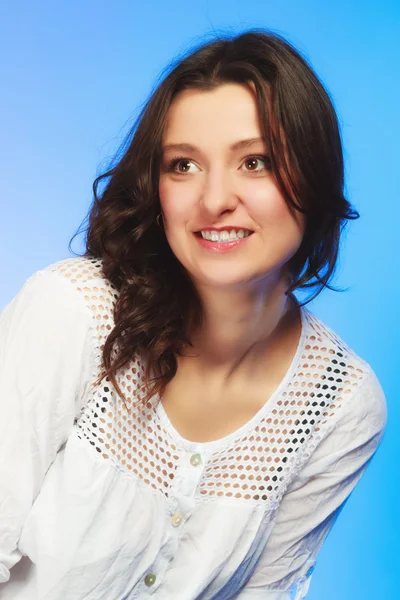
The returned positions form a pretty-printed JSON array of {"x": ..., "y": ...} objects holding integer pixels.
[{"x": 220, "y": 180}]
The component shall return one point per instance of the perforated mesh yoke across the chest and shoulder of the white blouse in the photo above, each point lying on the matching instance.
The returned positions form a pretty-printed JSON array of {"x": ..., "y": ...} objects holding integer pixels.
[{"x": 256, "y": 466}]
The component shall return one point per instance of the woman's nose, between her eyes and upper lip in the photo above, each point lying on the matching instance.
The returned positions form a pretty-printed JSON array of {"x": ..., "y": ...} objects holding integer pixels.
[{"x": 218, "y": 195}]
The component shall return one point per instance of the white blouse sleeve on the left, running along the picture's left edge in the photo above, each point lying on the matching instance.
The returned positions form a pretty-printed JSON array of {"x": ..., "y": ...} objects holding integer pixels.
[{"x": 46, "y": 363}]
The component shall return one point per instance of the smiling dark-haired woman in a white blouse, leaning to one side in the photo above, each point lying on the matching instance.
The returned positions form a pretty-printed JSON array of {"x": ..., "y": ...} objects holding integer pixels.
[{"x": 174, "y": 421}]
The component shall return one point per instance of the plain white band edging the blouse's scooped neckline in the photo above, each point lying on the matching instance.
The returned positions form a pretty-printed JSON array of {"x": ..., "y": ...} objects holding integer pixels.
[{"x": 217, "y": 444}]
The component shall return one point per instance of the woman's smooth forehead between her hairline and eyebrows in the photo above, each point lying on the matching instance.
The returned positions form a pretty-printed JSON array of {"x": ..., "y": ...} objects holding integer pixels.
[{"x": 228, "y": 111}]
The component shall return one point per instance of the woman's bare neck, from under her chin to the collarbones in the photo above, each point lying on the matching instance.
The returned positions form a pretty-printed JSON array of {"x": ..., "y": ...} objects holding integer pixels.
[{"x": 239, "y": 330}]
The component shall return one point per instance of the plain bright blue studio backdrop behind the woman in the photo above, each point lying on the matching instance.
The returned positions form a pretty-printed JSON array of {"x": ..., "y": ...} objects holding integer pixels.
[{"x": 75, "y": 75}]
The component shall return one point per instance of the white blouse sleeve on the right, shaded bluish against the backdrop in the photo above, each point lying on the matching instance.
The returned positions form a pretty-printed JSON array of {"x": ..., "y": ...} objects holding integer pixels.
[{"x": 314, "y": 499}]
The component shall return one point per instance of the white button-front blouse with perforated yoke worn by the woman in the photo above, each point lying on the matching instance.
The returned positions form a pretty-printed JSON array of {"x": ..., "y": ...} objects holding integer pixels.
[{"x": 99, "y": 503}]
